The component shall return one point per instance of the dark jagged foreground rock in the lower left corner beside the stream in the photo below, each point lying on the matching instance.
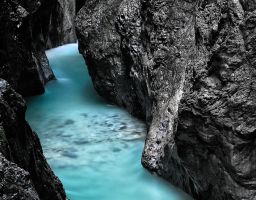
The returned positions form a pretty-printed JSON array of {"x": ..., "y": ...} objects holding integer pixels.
[{"x": 20, "y": 145}]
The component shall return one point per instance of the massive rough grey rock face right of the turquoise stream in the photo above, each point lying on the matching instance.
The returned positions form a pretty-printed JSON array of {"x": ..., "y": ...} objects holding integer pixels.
[{"x": 188, "y": 69}]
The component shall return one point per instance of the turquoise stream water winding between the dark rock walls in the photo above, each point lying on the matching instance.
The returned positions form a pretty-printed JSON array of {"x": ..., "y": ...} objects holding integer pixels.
[{"x": 95, "y": 148}]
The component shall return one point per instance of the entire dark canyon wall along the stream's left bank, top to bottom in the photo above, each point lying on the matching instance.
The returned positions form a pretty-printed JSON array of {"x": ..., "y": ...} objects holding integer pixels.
[{"x": 27, "y": 29}]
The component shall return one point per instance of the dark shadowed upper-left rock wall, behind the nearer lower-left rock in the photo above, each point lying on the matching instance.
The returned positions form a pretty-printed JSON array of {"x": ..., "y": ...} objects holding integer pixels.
[{"x": 27, "y": 29}]
